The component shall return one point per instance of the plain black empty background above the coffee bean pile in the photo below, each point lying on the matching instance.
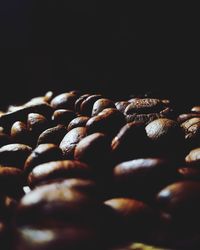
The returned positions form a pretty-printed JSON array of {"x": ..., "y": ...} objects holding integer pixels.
[{"x": 112, "y": 47}]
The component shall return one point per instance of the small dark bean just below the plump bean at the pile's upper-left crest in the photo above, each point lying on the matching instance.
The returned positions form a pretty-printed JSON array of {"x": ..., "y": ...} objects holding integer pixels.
[{"x": 63, "y": 116}]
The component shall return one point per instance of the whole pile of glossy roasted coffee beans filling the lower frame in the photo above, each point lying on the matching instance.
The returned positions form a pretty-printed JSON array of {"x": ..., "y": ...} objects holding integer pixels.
[{"x": 82, "y": 171}]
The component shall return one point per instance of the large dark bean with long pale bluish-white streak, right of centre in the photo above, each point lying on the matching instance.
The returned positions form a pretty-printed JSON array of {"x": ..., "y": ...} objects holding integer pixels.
[{"x": 142, "y": 178}]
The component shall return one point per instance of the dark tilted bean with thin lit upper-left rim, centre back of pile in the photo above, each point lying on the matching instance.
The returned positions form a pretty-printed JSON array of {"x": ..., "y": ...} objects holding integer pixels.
[{"x": 108, "y": 121}]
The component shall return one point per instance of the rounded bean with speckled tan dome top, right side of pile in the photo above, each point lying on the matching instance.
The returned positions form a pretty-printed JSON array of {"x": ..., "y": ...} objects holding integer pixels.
[{"x": 167, "y": 137}]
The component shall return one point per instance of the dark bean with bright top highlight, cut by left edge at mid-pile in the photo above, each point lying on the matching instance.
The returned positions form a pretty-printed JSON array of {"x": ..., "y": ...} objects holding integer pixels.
[{"x": 14, "y": 154}]
